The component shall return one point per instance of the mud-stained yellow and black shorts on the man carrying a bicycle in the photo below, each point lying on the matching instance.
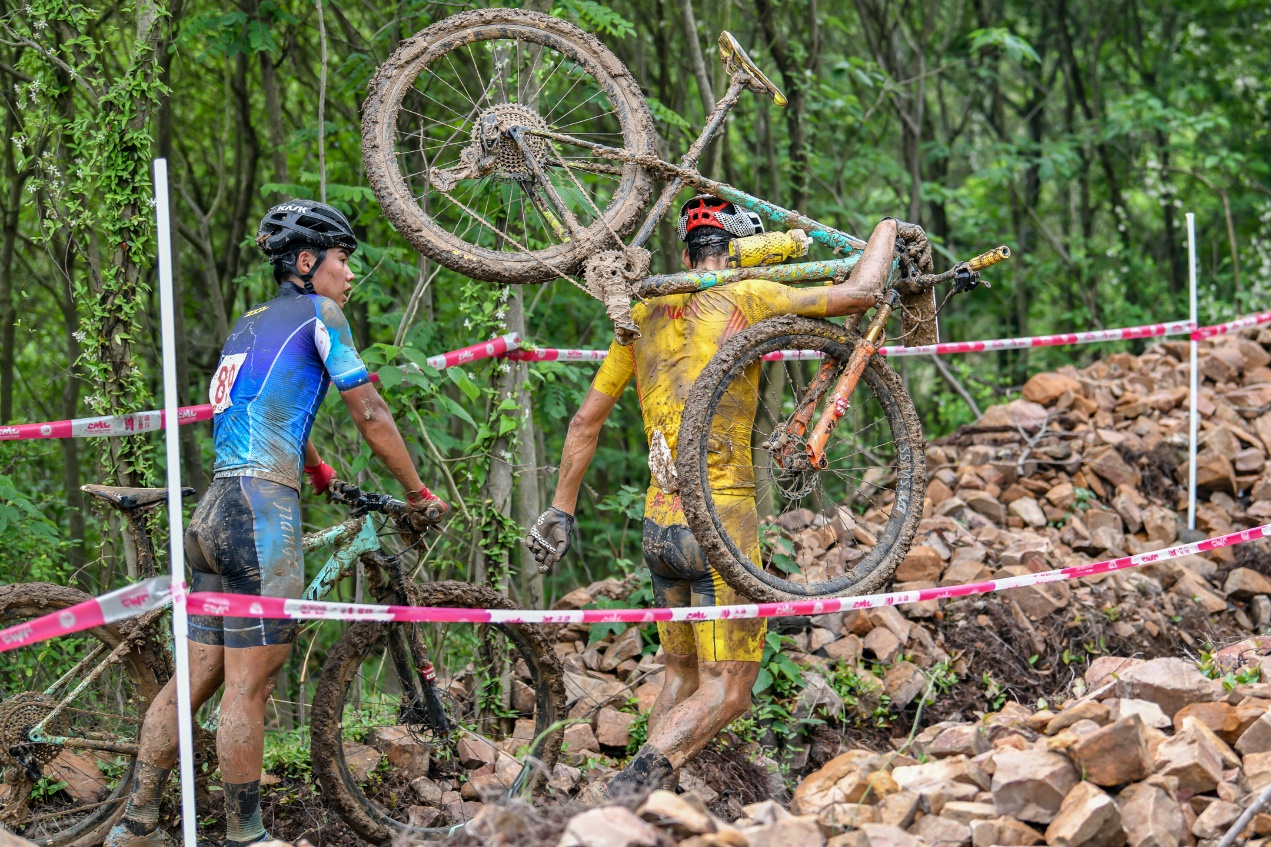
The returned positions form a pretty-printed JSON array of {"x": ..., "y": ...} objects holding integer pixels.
[{"x": 682, "y": 578}]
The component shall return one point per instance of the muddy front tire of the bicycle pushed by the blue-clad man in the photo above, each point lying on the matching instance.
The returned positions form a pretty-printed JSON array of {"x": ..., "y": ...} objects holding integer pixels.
[{"x": 344, "y": 662}]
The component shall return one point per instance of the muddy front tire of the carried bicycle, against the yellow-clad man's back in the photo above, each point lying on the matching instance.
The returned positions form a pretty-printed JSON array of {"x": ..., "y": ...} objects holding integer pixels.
[{"x": 786, "y": 333}]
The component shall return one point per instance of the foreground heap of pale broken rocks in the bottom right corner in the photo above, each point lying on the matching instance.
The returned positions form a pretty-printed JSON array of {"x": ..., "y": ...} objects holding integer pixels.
[{"x": 1155, "y": 754}]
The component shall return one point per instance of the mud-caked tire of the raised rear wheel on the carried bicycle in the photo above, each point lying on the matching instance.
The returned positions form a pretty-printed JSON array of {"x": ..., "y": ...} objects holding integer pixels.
[{"x": 379, "y": 127}]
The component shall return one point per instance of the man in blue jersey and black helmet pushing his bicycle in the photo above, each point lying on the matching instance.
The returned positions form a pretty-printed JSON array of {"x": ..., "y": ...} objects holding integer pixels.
[{"x": 245, "y": 536}]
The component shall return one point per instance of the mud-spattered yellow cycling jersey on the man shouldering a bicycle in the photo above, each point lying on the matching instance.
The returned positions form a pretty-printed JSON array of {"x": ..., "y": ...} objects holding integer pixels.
[{"x": 679, "y": 335}]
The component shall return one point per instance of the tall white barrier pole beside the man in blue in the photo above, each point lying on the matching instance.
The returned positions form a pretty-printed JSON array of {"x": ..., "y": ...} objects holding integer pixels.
[{"x": 176, "y": 531}]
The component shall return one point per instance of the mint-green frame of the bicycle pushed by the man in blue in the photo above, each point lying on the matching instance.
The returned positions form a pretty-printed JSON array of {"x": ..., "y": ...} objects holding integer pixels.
[{"x": 351, "y": 541}]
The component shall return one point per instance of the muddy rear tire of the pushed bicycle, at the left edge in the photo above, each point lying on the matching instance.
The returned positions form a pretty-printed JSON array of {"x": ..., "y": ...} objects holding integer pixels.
[{"x": 146, "y": 667}]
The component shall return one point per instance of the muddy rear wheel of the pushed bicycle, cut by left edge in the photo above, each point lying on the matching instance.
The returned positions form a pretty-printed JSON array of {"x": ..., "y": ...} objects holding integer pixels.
[{"x": 79, "y": 793}]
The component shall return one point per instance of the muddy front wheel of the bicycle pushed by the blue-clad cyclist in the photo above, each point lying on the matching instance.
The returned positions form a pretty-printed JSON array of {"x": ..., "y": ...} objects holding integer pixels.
[{"x": 370, "y": 759}]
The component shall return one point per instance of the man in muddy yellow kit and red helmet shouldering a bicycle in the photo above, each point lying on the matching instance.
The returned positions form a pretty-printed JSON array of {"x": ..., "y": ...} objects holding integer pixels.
[{"x": 711, "y": 667}]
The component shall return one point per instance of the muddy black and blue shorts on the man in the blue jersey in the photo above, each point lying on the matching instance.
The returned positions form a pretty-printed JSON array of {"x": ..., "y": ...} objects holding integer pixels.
[{"x": 245, "y": 539}]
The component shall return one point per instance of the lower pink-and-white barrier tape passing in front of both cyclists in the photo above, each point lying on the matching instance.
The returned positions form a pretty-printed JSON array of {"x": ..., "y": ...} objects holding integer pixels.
[{"x": 154, "y": 593}]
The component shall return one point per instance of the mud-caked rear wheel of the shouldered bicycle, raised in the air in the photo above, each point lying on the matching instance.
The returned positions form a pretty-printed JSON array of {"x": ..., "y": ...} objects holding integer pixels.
[{"x": 451, "y": 180}]
